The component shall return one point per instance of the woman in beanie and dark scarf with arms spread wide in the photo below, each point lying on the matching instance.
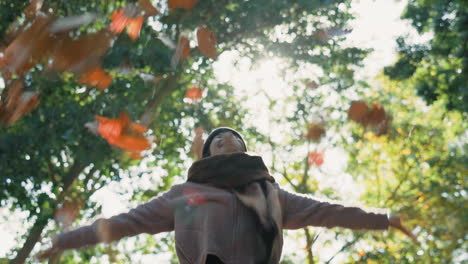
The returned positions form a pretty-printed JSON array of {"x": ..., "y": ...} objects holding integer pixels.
[{"x": 230, "y": 210}]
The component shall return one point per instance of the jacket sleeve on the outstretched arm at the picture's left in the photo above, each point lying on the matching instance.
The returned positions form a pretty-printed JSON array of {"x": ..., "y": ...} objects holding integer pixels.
[{"x": 152, "y": 217}]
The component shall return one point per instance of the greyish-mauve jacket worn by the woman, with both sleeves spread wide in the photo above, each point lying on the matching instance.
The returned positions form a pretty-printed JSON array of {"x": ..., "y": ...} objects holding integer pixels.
[{"x": 209, "y": 220}]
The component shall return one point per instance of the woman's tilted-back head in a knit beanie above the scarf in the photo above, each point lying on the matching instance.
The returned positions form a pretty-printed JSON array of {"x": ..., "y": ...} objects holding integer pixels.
[{"x": 223, "y": 140}]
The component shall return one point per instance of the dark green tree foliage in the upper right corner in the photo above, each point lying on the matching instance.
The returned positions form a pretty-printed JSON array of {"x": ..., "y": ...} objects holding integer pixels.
[{"x": 438, "y": 69}]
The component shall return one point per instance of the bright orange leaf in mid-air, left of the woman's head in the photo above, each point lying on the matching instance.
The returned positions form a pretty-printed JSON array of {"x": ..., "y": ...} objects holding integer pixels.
[{"x": 122, "y": 133}]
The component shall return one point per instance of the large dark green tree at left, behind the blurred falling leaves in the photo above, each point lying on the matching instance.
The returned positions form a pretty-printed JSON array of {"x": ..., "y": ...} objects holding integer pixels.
[{"x": 49, "y": 160}]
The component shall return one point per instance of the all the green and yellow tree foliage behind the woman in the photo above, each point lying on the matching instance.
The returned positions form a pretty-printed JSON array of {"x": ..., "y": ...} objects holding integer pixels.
[{"x": 417, "y": 168}]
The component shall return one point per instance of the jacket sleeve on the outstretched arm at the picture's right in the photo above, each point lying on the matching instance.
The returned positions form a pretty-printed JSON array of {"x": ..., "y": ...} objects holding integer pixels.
[{"x": 300, "y": 211}]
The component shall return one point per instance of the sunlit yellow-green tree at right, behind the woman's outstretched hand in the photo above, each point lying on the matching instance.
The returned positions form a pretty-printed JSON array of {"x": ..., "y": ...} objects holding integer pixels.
[{"x": 416, "y": 168}]
